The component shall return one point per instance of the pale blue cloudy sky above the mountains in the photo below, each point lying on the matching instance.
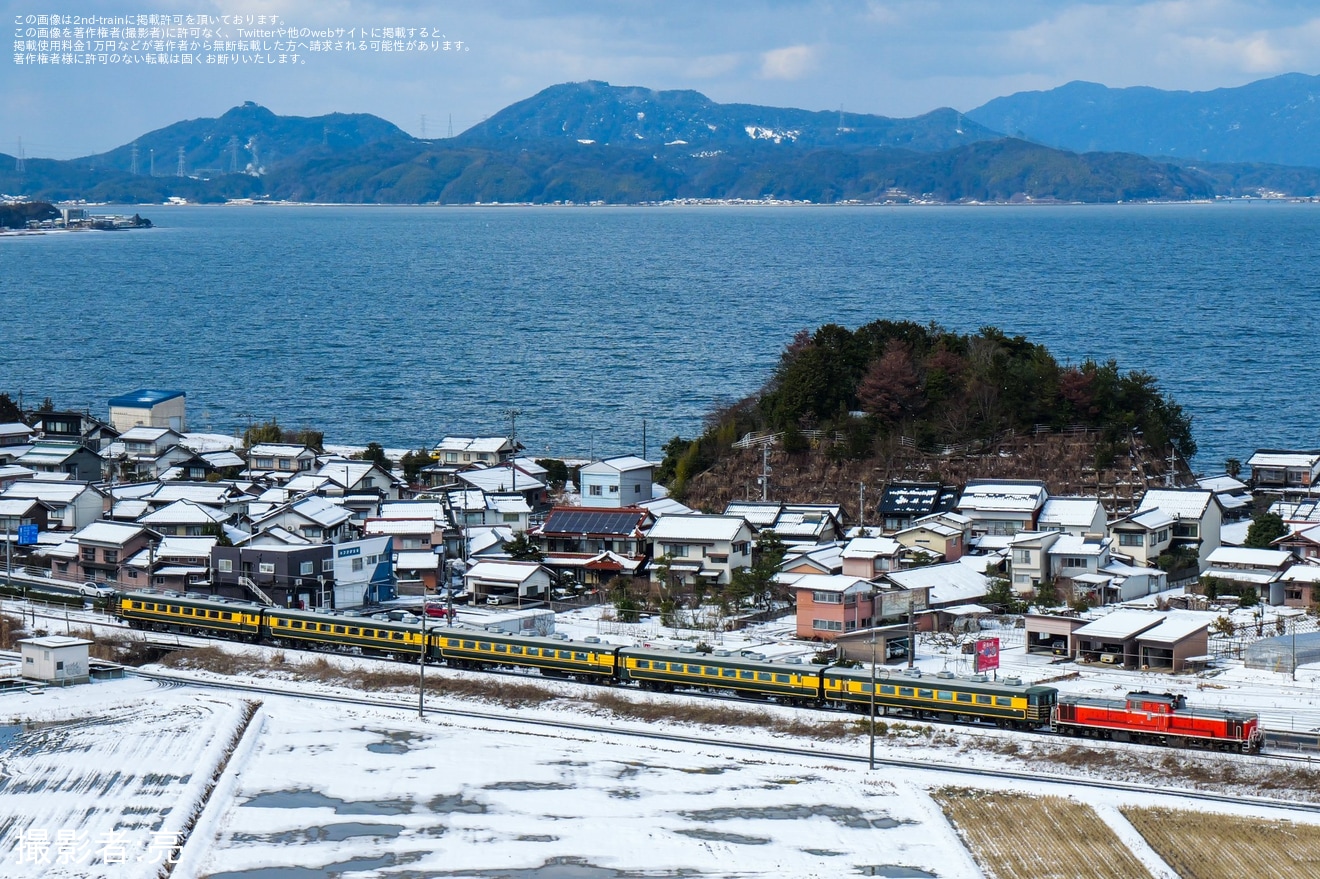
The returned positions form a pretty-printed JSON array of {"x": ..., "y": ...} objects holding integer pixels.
[{"x": 888, "y": 57}]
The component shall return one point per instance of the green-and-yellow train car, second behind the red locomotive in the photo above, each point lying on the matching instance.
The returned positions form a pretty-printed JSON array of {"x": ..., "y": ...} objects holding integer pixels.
[{"x": 661, "y": 670}]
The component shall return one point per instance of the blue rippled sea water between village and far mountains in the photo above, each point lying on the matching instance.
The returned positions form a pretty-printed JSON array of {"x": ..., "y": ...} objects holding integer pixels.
[{"x": 405, "y": 324}]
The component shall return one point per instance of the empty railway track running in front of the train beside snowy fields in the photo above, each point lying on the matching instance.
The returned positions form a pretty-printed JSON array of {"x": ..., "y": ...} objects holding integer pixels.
[{"x": 745, "y": 748}]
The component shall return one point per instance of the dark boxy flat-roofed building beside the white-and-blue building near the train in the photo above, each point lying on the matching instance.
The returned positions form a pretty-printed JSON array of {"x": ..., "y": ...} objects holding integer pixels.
[{"x": 288, "y": 575}]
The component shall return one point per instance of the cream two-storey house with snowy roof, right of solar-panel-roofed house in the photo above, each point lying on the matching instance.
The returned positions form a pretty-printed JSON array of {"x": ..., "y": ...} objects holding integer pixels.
[{"x": 698, "y": 547}]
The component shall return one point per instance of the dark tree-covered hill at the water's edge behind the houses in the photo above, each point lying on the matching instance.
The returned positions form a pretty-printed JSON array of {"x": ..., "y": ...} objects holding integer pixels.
[{"x": 865, "y": 389}]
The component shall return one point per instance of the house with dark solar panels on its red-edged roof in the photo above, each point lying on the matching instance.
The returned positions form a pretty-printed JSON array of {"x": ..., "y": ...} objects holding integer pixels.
[{"x": 595, "y": 544}]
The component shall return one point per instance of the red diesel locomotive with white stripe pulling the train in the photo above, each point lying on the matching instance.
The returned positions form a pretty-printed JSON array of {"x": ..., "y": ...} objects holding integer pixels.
[{"x": 1158, "y": 719}]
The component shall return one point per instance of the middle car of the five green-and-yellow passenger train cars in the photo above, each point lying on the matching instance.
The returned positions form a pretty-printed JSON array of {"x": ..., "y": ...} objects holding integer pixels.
[{"x": 552, "y": 657}]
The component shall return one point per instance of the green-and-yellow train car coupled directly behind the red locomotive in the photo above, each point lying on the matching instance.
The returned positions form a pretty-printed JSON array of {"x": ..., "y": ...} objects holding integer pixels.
[{"x": 943, "y": 699}]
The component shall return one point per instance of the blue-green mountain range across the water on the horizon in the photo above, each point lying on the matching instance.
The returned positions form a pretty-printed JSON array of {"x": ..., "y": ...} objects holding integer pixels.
[{"x": 599, "y": 143}]
